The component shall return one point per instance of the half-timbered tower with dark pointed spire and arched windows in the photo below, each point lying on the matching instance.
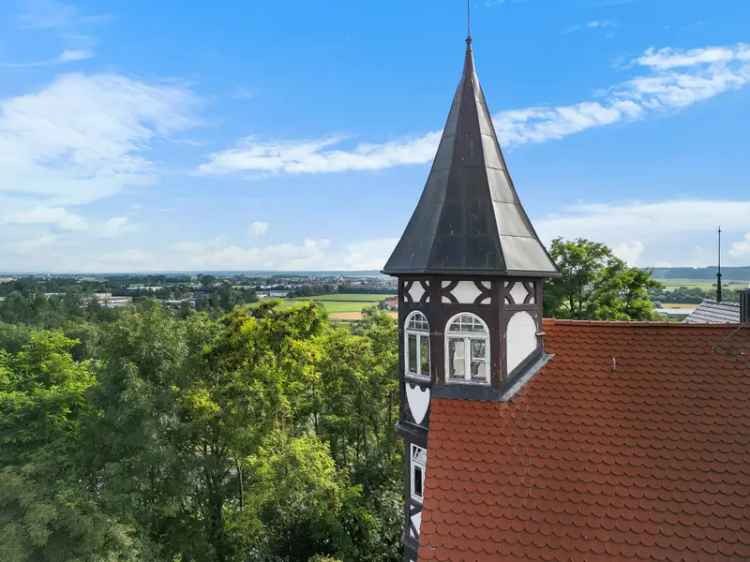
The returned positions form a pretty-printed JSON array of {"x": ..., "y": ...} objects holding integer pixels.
[{"x": 470, "y": 271}]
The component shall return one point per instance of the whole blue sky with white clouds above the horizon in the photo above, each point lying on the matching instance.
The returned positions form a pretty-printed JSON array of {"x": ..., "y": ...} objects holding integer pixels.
[{"x": 234, "y": 135}]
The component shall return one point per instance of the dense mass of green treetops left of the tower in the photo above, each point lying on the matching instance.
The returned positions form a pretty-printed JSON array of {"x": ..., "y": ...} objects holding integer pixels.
[{"x": 265, "y": 435}]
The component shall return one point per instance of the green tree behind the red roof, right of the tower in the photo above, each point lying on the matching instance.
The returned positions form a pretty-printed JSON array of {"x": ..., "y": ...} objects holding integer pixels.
[{"x": 595, "y": 284}]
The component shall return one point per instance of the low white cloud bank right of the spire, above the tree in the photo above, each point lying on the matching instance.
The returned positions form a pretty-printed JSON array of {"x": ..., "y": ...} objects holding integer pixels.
[{"x": 643, "y": 233}]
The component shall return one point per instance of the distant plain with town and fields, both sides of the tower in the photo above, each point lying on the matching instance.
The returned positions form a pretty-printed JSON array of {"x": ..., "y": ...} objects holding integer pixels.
[{"x": 343, "y": 294}]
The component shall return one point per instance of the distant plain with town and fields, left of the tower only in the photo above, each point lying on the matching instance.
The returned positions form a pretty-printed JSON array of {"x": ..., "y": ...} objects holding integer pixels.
[{"x": 343, "y": 294}]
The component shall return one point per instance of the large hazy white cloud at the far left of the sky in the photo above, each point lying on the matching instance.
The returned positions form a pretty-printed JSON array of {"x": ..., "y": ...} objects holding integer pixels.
[{"x": 85, "y": 137}]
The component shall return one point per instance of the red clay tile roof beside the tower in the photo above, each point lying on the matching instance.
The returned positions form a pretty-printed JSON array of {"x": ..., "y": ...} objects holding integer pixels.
[{"x": 649, "y": 461}]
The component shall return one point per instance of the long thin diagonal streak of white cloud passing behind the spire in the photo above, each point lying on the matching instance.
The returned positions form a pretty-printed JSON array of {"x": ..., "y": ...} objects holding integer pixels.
[{"x": 670, "y": 80}]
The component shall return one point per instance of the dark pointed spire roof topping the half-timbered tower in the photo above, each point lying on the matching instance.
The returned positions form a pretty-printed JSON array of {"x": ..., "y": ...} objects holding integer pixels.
[{"x": 469, "y": 219}]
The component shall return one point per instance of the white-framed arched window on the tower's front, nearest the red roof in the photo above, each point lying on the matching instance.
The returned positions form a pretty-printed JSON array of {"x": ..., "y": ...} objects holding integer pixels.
[{"x": 467, "y": 349}]
